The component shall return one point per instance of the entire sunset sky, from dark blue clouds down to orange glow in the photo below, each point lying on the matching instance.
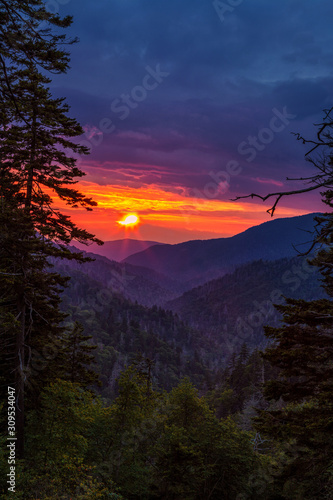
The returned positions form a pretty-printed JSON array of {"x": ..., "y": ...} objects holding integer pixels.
[{"x": 186, "y": 105}]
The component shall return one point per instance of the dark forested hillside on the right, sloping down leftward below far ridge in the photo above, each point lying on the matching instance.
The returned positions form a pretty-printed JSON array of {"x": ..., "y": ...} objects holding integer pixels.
[{"x": 235, "y": 308}]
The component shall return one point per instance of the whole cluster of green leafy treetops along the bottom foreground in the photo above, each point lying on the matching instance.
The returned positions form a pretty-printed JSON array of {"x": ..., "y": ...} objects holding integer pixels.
[{"x": 146, "y": 444}]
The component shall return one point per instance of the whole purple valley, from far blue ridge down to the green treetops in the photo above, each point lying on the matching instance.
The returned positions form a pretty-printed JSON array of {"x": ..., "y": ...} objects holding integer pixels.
[{"x": 130, "y": 309}]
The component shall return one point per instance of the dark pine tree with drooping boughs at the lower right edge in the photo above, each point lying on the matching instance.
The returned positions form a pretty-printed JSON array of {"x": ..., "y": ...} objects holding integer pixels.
[{"x": 303, "y": 350}]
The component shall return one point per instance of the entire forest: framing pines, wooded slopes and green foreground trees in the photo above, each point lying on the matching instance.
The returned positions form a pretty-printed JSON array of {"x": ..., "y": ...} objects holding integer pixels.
[{"x": 104, "y": 397}]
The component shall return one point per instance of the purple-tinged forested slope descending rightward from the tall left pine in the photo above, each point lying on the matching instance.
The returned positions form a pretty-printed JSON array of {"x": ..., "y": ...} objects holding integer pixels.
[{"x": 124, "y": 330}]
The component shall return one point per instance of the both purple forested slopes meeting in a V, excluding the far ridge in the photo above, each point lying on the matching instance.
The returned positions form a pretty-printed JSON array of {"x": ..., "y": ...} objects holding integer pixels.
[{"x": 211, "y": 325}]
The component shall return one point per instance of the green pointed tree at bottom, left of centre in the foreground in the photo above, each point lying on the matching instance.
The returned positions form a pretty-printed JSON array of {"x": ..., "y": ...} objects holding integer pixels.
[{"x": 125, "y": 433}]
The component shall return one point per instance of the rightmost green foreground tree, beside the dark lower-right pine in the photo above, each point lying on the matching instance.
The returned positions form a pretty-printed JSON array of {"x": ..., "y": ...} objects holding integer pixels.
[{"x": 199, "y": 456}]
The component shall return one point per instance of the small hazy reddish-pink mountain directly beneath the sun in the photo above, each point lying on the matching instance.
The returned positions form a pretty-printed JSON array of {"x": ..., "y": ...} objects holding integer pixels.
[{"x": 119, "y": 249}]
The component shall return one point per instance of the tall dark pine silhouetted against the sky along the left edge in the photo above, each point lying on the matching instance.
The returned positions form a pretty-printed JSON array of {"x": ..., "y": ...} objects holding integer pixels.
[{"x": 35, "y": 164}]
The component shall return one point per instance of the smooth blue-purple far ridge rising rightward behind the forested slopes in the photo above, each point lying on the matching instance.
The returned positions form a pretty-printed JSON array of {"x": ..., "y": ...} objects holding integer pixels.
[{"x": 199, "y": 261}]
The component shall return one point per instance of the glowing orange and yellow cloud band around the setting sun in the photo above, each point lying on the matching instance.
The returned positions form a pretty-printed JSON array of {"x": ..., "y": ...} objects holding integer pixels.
[{"x": 177, "y": 215}]
